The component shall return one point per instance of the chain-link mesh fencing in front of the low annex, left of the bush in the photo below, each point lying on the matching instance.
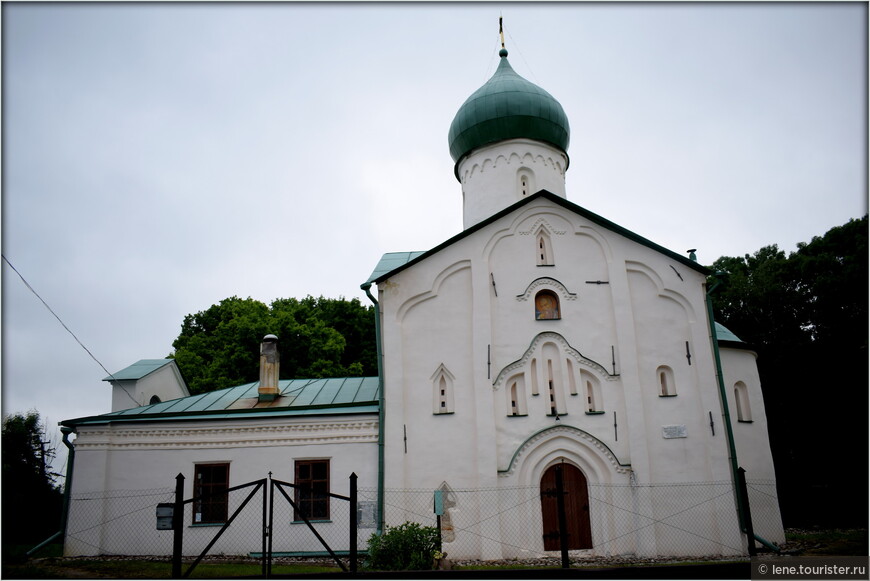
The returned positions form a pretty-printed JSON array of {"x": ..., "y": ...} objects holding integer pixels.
[{"x": 125, "y": 523}]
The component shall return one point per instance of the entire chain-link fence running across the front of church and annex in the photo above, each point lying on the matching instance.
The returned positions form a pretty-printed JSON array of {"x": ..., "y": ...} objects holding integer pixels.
[{"x": 690, "y": 519}]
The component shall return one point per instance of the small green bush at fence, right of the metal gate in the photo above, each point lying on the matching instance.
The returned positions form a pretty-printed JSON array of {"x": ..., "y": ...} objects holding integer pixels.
[{"x": 407, "y": 547}]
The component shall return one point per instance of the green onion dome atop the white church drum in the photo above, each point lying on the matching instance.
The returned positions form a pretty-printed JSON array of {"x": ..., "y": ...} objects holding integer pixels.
[{"x": 507, "y": 106}]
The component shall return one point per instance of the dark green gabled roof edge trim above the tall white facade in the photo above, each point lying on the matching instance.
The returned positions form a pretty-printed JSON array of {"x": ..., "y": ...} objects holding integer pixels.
[{"x": 565, "y": 204}]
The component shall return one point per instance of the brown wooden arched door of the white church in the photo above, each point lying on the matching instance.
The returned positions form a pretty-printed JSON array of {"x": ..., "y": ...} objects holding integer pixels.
[{"x": 576, "y": 508}]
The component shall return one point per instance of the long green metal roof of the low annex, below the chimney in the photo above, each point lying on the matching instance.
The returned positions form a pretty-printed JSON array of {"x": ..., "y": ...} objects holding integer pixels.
[{"x": 336, "y": 395}]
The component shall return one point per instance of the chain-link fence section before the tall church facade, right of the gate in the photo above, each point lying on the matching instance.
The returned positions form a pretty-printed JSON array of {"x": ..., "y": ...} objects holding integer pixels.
[{"x": 686, "y": 519}]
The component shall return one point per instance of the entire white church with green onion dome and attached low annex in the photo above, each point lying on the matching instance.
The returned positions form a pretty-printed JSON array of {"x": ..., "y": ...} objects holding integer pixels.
[{"x": 541, "y": 336}]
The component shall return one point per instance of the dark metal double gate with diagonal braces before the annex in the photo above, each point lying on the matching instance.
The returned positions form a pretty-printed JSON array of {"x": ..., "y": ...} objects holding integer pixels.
[{"x": 268, "y": 505}]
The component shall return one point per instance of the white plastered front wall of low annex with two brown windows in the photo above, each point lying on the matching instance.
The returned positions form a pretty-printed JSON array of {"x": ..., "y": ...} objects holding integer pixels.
[{"x": 123, "y": 471}]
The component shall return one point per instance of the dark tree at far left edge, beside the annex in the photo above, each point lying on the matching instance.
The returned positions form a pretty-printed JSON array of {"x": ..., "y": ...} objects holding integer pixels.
[{"x": 32, "y": 501}]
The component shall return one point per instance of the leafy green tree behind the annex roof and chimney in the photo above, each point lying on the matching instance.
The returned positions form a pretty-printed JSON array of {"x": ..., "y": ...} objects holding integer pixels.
[{"x": 318, "y": 337}]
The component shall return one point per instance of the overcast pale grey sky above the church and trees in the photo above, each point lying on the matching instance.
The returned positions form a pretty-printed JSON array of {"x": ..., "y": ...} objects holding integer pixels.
[{"x": 158, "y": 158}]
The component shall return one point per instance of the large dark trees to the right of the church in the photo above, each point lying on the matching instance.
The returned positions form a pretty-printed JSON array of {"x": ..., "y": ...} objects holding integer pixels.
[{"x": 806, "y": 316}]
